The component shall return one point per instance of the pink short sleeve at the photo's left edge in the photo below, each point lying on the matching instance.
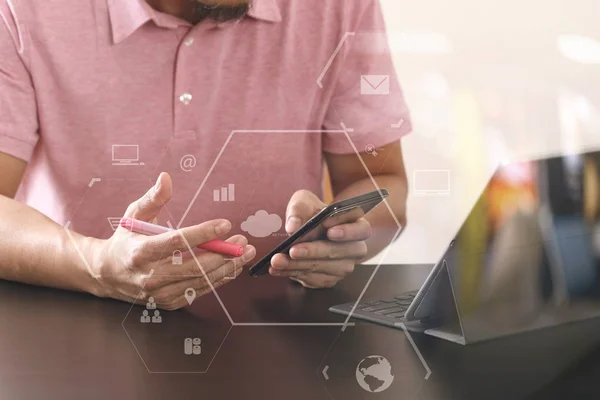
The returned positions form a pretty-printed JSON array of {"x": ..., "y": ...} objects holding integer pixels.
[{"x": 18, "y": 111}]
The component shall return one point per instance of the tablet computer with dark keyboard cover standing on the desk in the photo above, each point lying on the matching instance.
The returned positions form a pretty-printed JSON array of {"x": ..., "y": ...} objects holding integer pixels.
[{"x": 524, "y": 259}]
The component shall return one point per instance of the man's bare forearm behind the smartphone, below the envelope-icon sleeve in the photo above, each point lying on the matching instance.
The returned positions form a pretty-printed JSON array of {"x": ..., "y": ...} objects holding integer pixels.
[{"x": 384, "y": 225}]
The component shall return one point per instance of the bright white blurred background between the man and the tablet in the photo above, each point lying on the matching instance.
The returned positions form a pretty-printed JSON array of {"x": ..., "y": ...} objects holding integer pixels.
[{"x": 487, "y": 82}]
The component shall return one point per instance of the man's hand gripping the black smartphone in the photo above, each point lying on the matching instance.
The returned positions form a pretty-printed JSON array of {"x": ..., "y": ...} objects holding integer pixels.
[{"x": 321, "y": 263}]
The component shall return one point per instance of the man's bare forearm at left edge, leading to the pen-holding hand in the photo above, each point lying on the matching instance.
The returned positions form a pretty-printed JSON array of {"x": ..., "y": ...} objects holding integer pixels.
[{"x": 36, "y": 250}]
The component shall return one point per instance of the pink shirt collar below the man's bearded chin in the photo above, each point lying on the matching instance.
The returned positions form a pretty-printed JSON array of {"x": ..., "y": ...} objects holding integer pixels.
[{"x": 127, "y": 16}]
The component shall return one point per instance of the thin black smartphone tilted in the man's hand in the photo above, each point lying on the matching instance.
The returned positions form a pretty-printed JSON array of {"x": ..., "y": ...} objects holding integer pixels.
[{"x": 341, "y": 212}]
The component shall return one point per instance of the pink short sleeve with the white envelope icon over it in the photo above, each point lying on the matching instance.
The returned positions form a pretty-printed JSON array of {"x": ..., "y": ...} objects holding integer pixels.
[{"x": 367, "y": 98}]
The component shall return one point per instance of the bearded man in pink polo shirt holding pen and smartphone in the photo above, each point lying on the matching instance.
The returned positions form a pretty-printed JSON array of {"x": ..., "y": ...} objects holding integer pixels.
[{"x": 99, "y": 97}]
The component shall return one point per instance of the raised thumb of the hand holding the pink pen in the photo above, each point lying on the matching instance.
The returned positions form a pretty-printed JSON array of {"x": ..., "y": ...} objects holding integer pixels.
[{"x": 148, "y": 206}]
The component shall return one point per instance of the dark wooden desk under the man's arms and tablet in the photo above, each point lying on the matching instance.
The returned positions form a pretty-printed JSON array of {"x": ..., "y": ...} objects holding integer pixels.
[{"x": 60, "y": 345}]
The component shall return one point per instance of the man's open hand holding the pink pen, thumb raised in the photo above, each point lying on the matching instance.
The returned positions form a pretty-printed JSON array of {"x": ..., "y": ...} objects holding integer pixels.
[{"x": 124, "y": 264}]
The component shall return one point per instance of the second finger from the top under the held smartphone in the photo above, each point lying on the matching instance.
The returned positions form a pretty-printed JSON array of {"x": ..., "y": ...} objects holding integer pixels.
[{"x": 323, "y": 249}]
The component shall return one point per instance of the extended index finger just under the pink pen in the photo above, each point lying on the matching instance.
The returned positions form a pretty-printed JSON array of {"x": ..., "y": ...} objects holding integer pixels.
[{"x": 187, "y": 238}]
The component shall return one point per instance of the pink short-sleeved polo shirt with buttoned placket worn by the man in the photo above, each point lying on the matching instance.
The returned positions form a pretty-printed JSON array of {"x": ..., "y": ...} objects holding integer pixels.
[{"x": 100, "y": 96}]
